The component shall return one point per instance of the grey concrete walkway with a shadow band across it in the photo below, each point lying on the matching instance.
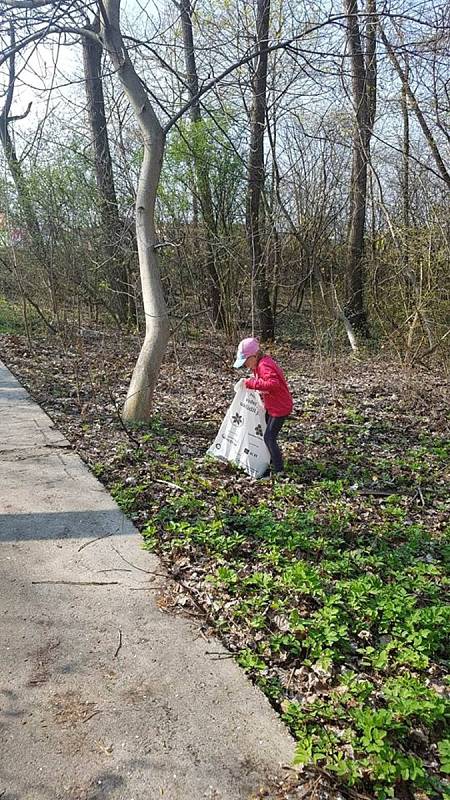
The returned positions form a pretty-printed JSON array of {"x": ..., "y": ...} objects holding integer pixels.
[{"x": 102, "y": 695}]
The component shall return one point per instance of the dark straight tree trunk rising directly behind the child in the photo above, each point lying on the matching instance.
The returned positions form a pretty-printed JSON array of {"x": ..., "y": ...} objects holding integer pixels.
[{"x": 256, "y": 179}]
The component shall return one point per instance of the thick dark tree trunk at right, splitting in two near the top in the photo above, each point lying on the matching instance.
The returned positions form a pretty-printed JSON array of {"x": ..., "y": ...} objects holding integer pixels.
[{"x": 364, "y": 103}]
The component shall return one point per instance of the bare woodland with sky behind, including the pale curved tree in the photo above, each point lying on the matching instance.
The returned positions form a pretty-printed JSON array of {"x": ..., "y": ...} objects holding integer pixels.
[{"x": 262, "y": 166}]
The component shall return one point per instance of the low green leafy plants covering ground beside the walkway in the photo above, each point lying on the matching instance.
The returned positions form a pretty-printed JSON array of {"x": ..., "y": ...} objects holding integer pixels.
[{"x": 344, "y": 625}]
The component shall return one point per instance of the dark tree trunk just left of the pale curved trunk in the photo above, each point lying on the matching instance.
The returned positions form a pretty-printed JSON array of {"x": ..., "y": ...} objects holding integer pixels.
[{"x": 111, "y": 226}]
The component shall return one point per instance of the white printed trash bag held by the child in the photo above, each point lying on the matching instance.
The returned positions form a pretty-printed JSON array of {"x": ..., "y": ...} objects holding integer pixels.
[{"x": 241, "y": 435}]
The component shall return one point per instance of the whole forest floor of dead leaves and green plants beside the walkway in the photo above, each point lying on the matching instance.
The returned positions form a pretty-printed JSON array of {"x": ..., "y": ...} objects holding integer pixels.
[{"x": 330, "y": 587}]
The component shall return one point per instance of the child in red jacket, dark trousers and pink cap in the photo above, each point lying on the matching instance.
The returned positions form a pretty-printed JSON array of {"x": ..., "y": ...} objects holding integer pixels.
[{"x": 277, "y": 399}]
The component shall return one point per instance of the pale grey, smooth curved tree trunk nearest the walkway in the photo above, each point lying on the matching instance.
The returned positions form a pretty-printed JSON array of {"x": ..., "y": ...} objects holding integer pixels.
[{"x": 140, "y": 393}]
